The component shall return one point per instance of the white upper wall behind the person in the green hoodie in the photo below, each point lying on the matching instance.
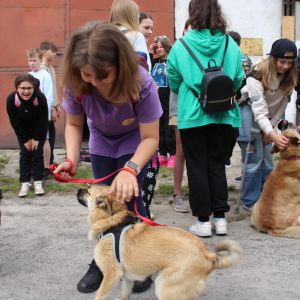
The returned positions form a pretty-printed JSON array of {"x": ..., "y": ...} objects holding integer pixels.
[{"x": 252, "y": 19}]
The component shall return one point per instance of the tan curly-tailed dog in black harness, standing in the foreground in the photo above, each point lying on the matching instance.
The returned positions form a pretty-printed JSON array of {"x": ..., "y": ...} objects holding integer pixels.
[{"x": 181, "y": 258}]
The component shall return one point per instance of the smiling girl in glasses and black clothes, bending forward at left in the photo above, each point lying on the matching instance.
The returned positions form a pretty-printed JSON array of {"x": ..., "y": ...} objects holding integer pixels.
[{"x": 28, "y": 114}]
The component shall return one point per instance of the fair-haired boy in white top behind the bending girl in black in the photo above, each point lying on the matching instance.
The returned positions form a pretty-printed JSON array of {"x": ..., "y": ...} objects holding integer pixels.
[{"x": 35, "y": 58}]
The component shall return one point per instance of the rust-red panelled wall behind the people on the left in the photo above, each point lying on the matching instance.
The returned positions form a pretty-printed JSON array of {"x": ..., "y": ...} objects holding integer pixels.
[{"x": 26, "y": 23}]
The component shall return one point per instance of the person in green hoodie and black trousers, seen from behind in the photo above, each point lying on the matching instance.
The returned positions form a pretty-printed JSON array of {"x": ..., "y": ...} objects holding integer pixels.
[{"x": 205, "y": 137}]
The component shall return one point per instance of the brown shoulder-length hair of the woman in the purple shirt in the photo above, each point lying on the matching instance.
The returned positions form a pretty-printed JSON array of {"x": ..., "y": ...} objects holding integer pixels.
[{"x": 99, "y": 45}]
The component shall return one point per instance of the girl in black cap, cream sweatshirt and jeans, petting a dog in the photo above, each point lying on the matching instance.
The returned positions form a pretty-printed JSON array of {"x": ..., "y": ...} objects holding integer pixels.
[{"x": 268, "y": 90}]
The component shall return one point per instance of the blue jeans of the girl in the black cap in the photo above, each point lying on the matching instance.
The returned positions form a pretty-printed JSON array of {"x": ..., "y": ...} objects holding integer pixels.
[{"x": 260, "y": 161}]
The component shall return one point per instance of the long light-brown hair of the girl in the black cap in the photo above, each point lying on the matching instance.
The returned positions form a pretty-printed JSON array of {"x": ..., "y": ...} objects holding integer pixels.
[{"x": 267, "y": 70}]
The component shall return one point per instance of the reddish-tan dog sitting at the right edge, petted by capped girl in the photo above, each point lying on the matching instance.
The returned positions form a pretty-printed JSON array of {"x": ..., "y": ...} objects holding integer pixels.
[{"x": 277, "y": 211}]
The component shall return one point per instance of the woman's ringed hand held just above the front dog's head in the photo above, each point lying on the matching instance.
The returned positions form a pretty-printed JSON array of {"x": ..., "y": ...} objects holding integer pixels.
[{"x": 126, "y": 185}]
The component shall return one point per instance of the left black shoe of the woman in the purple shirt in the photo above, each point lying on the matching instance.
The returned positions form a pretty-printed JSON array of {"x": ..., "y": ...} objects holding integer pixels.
[{"x": 91, "y": 281}]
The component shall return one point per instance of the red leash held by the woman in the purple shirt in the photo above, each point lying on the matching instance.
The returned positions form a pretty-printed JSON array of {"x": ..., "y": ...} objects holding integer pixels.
[{"x": 91, "y": 181}]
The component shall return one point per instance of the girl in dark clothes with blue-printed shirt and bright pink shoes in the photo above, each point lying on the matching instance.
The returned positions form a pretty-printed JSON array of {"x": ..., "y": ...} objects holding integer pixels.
[{"x": 167, "y": 140}]
